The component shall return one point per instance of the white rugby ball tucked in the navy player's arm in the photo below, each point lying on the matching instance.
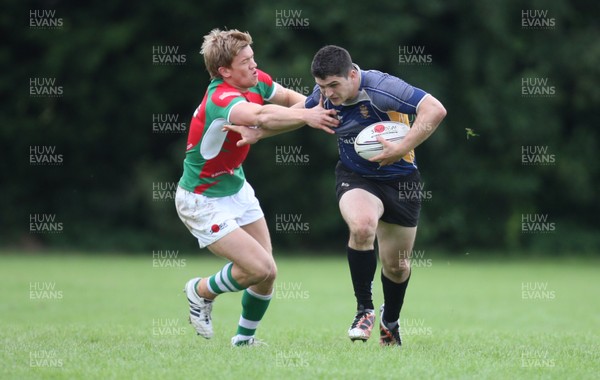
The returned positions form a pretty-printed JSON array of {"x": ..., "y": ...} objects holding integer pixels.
[{"x": 366, "y": 144}]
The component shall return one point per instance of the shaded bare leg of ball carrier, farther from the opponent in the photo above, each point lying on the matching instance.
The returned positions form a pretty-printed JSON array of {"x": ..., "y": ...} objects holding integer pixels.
[{"x": 395, "y": 245}]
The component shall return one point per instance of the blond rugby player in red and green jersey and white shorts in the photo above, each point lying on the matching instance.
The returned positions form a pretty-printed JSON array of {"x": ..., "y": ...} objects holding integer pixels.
[{"x": 213, "y": 199}]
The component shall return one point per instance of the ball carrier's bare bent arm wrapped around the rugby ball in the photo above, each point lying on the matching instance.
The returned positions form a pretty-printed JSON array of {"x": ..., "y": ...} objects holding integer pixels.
[{"x": 429, "y": 115}]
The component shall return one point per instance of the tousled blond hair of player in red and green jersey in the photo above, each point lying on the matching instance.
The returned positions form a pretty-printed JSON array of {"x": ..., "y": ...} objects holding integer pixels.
[{"x": 220, "y": 48}]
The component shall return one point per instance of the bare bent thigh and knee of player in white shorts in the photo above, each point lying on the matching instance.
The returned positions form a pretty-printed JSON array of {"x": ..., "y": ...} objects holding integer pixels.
[{"x": 247, "y": 254}]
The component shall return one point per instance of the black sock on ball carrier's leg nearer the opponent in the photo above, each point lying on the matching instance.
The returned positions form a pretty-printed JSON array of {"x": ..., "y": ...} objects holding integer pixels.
[{"x": 362, "y": 270}]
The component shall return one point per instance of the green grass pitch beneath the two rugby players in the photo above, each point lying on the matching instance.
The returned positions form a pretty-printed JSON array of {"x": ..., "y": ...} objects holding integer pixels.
[{"x": 120, "y": 317}]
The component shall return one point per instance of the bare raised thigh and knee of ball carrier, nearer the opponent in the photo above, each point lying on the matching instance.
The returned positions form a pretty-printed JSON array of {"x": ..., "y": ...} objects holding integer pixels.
[{"x": 360, "y": 209}]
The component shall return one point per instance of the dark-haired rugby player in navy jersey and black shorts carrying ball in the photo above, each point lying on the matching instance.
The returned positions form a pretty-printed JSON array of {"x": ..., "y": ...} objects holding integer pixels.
[{"x": 375, "y": 197}]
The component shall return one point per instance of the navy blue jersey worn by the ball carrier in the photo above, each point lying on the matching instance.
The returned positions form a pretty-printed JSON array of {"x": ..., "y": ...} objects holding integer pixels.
[{"x": 381, "y": 97}]
